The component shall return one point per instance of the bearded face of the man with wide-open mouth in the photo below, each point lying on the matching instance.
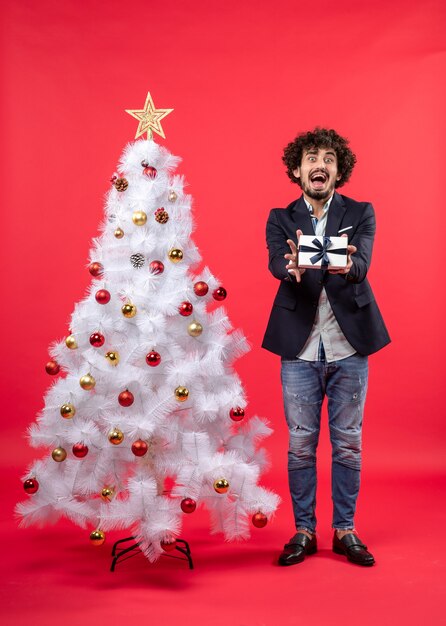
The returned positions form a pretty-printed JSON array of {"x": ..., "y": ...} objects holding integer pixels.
[{"x": 318, "y": 172}]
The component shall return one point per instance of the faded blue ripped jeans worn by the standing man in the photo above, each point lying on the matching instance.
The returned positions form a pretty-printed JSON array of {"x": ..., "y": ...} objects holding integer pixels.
[{"x": 304, "y": 385}]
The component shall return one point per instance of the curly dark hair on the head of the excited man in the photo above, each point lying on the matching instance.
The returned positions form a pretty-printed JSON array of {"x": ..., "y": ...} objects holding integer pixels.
[{"x": 320, "y": 138}]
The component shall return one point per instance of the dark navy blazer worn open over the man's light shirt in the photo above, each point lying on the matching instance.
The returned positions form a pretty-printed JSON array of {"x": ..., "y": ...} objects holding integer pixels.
[{"x": 350, "y": 295}]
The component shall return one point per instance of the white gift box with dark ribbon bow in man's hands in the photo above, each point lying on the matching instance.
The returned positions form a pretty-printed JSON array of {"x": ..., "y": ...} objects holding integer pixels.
[{"x": 322, "y": 252}]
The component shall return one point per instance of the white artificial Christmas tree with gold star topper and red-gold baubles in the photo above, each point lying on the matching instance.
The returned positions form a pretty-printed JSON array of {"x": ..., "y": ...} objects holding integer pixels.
[{"x": 148, "y": 391}]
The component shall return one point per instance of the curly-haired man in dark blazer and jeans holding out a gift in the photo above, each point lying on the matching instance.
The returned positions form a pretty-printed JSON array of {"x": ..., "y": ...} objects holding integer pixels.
[{"x": 323, "y": 324}]
